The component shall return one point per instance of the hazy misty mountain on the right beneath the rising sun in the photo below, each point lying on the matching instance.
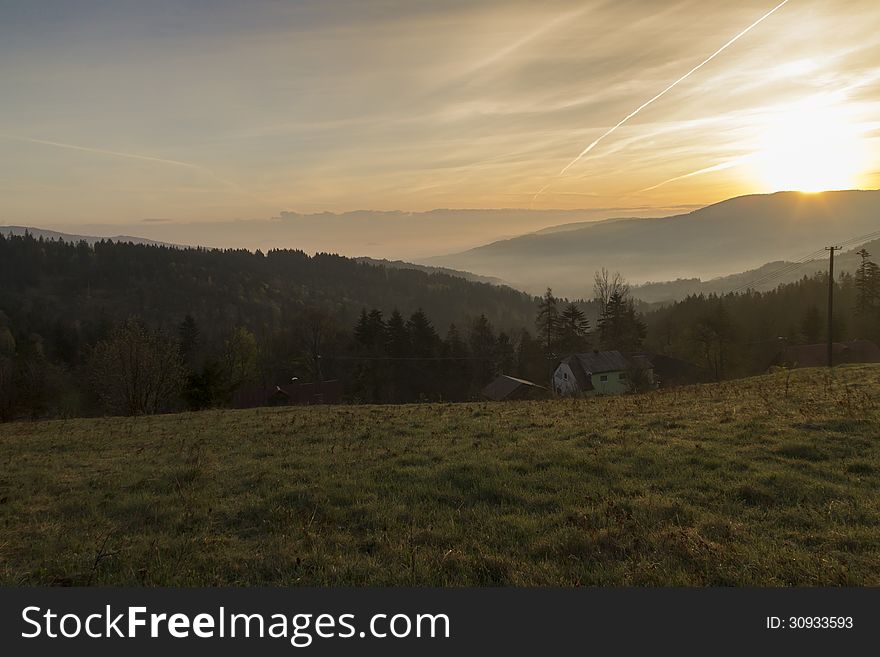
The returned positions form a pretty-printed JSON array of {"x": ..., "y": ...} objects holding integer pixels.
[{"x": 738, "y": 235}]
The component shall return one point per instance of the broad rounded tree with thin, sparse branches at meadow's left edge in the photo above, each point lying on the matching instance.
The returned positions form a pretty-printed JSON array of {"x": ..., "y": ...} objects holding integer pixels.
[{"x": 137, "y": 371}]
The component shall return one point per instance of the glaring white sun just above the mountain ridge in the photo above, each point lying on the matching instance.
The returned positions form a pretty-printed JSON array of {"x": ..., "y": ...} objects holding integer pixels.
[{"x": 810, "y": 147}]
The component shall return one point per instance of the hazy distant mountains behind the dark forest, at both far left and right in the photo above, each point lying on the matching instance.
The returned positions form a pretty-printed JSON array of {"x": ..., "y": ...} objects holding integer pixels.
[{"x": 666, "y": 258}]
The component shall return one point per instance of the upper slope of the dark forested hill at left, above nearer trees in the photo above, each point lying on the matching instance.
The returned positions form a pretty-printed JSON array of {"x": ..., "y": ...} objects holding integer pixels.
[{"x": 51, "y": 286}]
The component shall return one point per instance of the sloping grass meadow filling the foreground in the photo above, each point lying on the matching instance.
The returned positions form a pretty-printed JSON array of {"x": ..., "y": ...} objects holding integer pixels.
[{"x": 772, "y": 481}]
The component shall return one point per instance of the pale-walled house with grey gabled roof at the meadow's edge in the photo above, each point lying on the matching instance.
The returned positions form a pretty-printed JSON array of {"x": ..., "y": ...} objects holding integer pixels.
[{"x": 602, "y": 373}]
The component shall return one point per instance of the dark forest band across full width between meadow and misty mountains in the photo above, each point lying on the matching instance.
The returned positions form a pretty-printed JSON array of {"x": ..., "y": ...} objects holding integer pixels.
[{"x": 136, "y": 329}]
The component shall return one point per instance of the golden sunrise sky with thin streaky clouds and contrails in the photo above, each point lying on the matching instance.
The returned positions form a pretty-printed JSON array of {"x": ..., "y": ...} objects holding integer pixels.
[{"x": 150, "y": 115}]
